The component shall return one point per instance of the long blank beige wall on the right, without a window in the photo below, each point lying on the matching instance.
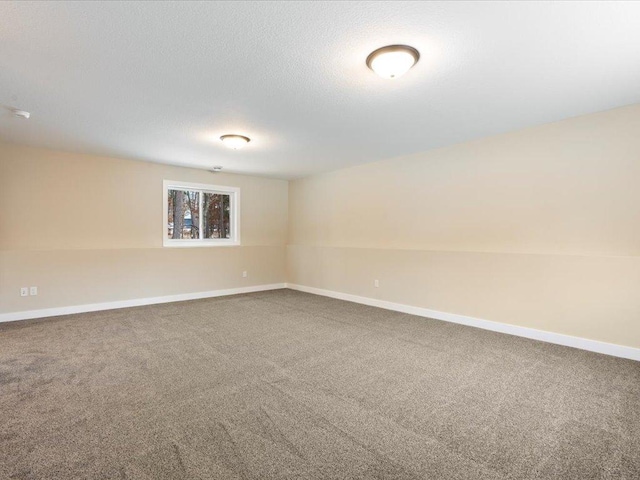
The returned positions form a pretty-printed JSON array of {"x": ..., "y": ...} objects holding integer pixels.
[{"x": 537, "y": 228}]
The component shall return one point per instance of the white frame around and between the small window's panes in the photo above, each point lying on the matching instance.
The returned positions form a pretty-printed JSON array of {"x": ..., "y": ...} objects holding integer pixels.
[{"x": 234, "y": 194}]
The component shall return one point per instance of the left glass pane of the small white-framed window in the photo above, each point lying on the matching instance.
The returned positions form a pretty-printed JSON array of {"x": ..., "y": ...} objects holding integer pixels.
[{"x": 183, "y": 214}]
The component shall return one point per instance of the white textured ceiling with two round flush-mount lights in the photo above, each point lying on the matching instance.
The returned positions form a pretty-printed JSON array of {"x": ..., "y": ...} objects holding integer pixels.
[{"x": 162, "y": 81}]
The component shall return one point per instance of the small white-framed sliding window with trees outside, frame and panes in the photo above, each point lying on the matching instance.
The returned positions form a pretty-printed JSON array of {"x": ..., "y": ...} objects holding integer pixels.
[{"x": 198, "y": 215}]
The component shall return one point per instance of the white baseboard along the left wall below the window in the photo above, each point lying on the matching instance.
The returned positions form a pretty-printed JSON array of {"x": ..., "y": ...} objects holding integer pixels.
[{"x": 136, "y": 302}]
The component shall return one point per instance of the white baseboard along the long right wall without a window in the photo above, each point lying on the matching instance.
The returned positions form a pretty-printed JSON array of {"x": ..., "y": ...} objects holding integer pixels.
[{"x": 549, "y": 337}]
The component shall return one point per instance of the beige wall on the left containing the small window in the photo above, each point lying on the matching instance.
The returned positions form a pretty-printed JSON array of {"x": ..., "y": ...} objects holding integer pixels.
[{"x": 88, "y": 229}]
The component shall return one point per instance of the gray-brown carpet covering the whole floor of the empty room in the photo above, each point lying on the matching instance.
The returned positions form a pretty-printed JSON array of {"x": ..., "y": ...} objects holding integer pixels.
[{"x": 284, "y": 384}]
